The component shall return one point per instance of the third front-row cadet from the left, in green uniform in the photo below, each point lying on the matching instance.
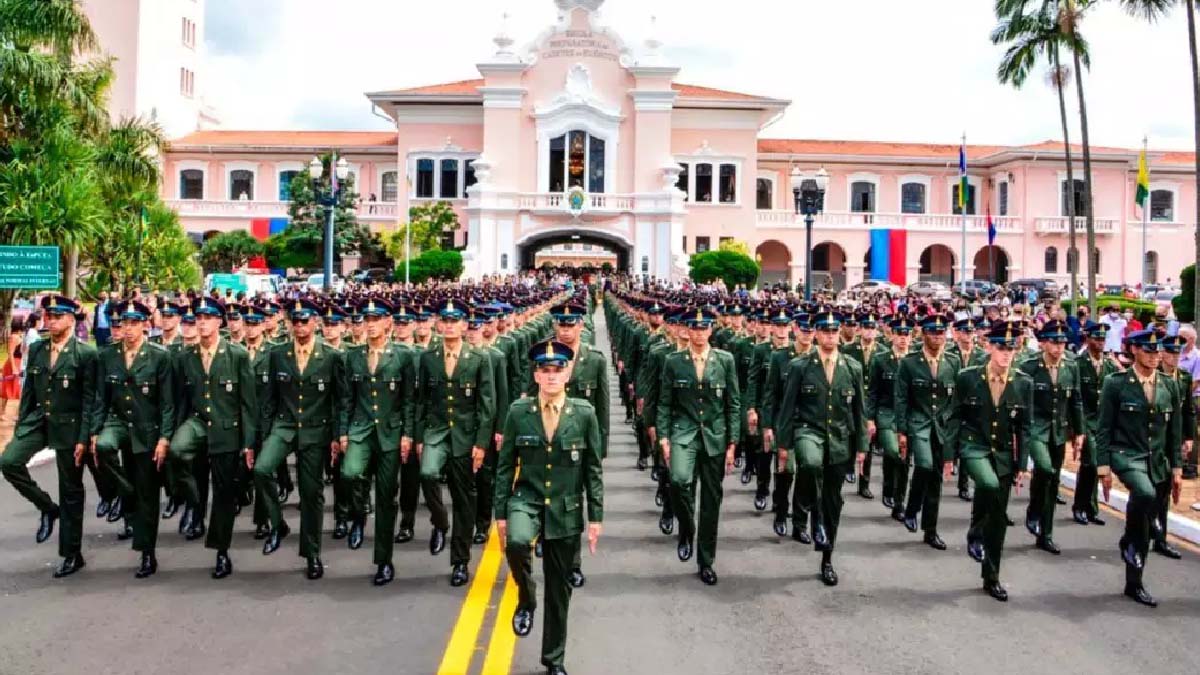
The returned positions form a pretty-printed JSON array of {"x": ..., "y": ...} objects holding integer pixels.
[{"x": 219, "y": 414}]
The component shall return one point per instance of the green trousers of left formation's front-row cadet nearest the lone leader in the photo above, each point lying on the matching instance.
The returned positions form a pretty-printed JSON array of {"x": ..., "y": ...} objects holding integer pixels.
[{"x": 463, "y": 493}]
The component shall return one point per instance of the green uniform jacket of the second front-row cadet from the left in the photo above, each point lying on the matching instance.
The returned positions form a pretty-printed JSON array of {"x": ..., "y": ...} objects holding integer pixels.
[{"x": 140, "y": 398}]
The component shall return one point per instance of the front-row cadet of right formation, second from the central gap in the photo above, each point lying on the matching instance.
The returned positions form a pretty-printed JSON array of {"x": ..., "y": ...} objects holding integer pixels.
[{"x": 821, "y": 419}]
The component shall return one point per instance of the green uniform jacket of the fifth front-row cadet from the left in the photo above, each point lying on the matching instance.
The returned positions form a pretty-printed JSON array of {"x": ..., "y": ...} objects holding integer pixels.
[{"x": 381, "y": 403}]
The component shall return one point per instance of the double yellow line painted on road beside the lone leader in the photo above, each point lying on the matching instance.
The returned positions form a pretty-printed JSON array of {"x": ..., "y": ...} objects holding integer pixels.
[{"x": 465, "y": 641}]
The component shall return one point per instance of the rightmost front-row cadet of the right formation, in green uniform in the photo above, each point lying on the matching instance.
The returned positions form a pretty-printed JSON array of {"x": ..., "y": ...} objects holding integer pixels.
[{"x": 1139, "y": 440}]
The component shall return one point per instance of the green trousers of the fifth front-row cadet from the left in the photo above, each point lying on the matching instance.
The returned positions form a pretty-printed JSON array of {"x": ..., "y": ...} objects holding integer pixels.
[{"x": 358, "y": 459}]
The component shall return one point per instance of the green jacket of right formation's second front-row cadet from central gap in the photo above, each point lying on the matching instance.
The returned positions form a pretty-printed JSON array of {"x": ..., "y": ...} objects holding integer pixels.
[{"x": 831, "y": 413}]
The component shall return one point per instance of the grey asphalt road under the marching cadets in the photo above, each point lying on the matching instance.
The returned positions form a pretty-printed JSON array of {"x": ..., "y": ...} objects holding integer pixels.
[{"x": 902, "y": 607}]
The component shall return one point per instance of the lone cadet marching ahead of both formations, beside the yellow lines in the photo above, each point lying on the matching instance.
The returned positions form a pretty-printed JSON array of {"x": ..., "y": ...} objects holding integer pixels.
[{"x": 563, "y": 435}]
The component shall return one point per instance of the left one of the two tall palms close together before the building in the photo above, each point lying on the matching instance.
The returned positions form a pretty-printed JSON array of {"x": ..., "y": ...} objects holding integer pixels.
[{"x": 1031, "y": 38}]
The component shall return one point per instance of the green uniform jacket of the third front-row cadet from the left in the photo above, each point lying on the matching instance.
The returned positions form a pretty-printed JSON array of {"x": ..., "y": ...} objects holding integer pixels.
[{"x": 225, "y": 401}]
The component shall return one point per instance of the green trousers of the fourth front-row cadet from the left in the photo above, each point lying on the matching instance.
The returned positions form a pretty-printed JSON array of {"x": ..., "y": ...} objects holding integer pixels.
[{"x": 310, "y": 470}]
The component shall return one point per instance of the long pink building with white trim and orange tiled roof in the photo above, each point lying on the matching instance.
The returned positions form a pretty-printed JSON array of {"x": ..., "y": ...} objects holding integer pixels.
[{"x": 580, "y": 138}]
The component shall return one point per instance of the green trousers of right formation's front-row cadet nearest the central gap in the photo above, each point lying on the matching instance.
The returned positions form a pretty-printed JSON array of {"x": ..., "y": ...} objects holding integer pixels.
[{"x": 689, "y": 465}]
